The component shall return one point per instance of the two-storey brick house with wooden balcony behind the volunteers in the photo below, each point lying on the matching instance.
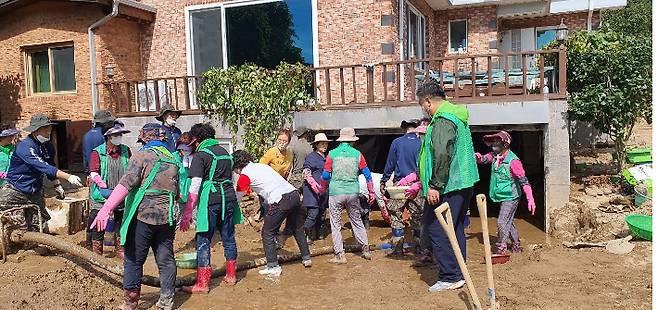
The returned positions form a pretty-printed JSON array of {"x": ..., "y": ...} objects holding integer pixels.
[{"x": 367, "y": 57}]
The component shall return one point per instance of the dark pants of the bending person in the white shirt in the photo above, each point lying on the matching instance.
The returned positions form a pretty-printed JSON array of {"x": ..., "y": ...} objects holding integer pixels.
[{"x": 289, "y": 209}]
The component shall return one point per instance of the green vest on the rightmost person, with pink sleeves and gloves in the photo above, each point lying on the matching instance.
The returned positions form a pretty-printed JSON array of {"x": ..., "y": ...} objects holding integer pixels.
[{"x": 502, "y": 186}]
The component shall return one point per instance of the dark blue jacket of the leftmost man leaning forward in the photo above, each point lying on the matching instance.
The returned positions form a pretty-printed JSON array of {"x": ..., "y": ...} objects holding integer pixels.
[{"x": 29, "y": 163}]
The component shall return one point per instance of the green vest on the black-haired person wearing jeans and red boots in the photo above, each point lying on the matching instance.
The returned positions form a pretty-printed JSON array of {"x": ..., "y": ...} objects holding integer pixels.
[{"x": 209, "y": 186}]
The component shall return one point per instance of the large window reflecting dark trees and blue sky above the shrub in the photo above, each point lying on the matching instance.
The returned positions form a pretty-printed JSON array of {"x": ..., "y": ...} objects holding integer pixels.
[{"x": 263, "y": 32}]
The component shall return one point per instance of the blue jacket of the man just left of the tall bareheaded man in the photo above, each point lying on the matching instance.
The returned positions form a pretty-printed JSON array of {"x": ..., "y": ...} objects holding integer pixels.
[{"x": 402, "y": 157}]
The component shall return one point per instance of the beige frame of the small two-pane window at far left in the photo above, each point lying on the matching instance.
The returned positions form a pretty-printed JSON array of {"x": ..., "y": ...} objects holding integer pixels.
[{"x": 28, "y": 51}]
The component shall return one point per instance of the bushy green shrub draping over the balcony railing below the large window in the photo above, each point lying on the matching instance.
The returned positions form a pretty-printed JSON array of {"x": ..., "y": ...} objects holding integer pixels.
[{"x": 257, "y": 100}]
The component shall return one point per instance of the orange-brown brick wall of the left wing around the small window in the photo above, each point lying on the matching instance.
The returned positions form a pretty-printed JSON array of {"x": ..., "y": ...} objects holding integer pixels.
[{"x": 52, "y": 23}]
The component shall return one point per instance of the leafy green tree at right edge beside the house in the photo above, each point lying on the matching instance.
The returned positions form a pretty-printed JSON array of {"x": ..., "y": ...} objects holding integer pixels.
[{"x": 609, "y": 82}]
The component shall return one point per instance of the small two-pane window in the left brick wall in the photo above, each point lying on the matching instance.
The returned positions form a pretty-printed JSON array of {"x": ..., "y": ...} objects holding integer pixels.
[{"x": 51, "y": 70}]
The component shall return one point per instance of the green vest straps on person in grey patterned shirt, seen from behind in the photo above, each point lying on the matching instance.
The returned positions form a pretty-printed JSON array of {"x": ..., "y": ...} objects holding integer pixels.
[{"x": 136, "y": 196}]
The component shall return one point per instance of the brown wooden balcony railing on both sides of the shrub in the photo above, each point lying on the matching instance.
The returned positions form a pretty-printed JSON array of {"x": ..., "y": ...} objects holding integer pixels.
[{"x": 524, "y": 76}]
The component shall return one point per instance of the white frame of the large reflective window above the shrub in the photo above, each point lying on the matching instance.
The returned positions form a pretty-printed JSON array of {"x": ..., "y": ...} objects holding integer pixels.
[{"x": 231, "y": 4}]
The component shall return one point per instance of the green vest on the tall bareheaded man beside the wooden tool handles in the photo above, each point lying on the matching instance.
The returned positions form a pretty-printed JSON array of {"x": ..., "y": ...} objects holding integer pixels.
[{"x": 463, "y": 167}]
